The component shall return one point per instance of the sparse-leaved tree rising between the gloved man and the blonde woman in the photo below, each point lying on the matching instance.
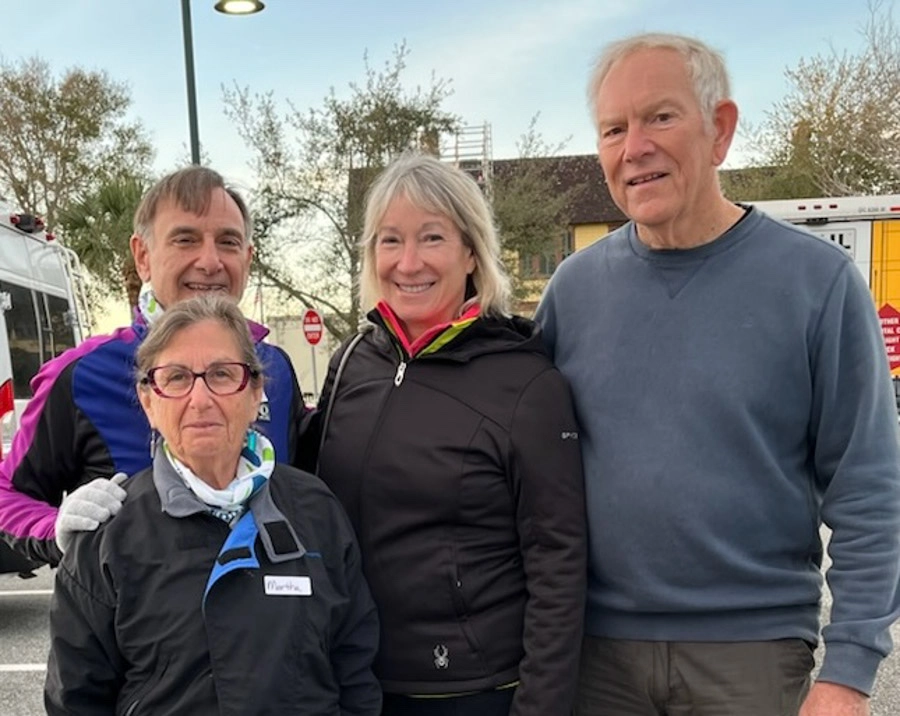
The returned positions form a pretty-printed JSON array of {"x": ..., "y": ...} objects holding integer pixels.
[{"x": 313, "y": 167}]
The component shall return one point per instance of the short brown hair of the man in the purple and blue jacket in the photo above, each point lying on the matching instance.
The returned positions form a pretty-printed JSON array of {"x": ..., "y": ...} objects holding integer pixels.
[{"x": 191, "y": 189}]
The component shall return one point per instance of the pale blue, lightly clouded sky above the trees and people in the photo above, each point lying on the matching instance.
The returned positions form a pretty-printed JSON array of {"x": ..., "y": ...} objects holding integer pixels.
[{"x": 507, "y": 59}]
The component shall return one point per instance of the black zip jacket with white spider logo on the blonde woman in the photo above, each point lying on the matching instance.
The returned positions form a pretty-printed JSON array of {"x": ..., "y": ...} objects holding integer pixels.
[{"x": 461, "y": 471}]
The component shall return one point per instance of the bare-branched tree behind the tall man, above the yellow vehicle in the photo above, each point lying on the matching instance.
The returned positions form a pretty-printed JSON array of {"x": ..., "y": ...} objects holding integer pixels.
[{"x": 837, "y": 130}]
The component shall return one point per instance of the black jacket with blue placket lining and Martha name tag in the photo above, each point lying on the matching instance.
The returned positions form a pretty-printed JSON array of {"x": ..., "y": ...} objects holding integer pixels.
[{"x": 164, "y": 610}]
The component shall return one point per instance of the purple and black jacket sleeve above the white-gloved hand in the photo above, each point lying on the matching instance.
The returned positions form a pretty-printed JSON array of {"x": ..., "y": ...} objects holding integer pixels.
[{"x": 43, "y": 463}]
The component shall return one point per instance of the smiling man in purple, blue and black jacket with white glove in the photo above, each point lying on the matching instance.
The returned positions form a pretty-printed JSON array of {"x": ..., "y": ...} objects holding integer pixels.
[{"x": 192, "y": 236}]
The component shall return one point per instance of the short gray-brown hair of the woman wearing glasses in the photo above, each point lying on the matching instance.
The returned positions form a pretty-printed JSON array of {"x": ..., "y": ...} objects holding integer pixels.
[{"x": 189, "y": 312}]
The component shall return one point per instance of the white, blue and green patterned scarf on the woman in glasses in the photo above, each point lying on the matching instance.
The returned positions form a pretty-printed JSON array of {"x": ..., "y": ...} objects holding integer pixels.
[{"x": 255, "y": 466}]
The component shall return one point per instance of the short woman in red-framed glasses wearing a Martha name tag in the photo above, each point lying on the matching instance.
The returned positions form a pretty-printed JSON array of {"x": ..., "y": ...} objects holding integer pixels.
[{"x": 227, "y": 583}]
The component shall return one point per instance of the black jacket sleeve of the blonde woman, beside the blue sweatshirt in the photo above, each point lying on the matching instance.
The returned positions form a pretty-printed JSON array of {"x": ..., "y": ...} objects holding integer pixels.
[{"x": 549, "y": 491}]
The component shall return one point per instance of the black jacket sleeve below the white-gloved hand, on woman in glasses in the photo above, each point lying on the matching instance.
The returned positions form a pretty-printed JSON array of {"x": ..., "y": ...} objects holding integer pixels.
[{"x": 85, "y": 668}]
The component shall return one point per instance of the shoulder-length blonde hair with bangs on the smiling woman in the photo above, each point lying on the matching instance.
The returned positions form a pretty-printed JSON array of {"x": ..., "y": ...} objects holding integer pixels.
[{"x": 441, "y": 188}]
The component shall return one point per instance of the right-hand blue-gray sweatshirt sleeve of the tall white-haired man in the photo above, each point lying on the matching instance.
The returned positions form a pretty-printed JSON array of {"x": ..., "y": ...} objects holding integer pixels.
[{"x": 857, "y": 464}]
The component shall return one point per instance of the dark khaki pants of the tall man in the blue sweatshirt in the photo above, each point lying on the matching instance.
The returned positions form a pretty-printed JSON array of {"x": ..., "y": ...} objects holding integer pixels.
[{"x": 645, "y": 678}]
